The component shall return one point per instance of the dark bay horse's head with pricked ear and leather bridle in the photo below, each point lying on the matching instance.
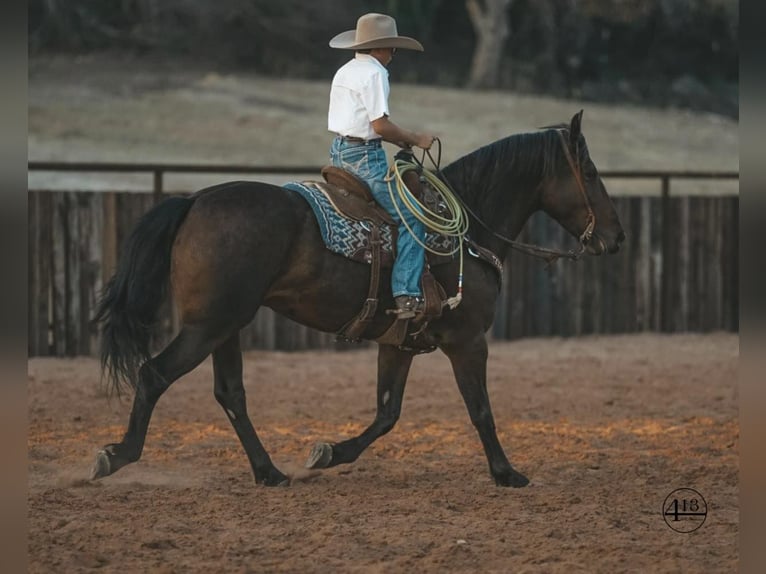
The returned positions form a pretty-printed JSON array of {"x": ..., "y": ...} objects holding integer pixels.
[{"x": 576, "y": 196}]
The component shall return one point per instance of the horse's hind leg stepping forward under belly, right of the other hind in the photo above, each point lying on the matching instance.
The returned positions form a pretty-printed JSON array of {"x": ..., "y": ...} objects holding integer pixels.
[{"x": 230, "y": 394}]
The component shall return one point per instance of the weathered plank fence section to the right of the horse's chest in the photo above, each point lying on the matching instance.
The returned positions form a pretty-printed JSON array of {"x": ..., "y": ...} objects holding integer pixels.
[{"x": 676, "y": 271}]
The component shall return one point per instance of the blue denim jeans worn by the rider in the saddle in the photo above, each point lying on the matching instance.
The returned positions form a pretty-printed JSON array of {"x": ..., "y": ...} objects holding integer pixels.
[{"x": 368, "y": 161}]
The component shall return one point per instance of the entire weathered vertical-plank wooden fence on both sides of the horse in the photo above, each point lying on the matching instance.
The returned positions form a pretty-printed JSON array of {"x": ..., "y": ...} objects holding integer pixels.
[{"x": 677, "y": 271}]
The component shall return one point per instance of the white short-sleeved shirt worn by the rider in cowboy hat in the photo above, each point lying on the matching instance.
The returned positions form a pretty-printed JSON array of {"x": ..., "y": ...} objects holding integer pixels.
[{"x": 358, "y": 96}]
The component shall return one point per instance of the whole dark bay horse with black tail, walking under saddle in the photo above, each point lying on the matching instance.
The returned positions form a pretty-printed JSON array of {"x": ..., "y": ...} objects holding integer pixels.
[{"x": 230, "y": 249}]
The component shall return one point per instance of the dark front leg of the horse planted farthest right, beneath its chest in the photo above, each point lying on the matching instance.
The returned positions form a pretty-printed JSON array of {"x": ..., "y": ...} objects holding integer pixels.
[{"x": 469, "y": 363}]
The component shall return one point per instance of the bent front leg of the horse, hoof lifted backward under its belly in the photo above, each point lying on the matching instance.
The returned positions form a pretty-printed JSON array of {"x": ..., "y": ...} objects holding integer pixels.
[{"x": 393, "y": 368}]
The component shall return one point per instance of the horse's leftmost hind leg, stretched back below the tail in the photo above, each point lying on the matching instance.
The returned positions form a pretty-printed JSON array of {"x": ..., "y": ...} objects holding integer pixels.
[{"x": 186, "y": 351}]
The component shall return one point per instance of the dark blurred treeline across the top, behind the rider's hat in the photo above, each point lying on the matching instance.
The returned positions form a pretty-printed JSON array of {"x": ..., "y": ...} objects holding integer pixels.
[{"x": 664, "y": 52}]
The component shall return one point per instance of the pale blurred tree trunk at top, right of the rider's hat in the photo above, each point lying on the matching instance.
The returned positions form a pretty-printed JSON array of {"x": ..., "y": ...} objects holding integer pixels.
[{"x": 490, "y": 23}]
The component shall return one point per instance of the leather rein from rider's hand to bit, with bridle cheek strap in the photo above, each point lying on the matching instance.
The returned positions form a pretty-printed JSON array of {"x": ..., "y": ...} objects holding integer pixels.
[{"x": 547, "y": 254}]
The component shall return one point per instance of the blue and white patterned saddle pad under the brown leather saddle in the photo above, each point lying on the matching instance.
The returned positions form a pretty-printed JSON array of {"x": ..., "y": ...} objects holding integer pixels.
[{"x": 351, "y": 238}]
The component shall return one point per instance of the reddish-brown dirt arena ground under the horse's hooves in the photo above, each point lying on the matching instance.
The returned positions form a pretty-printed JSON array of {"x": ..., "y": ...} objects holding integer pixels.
[{"x": 605, "y": 427}]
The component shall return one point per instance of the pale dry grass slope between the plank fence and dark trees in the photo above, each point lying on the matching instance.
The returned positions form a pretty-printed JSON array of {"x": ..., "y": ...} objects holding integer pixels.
[{"x": 96, "y": 108}]
